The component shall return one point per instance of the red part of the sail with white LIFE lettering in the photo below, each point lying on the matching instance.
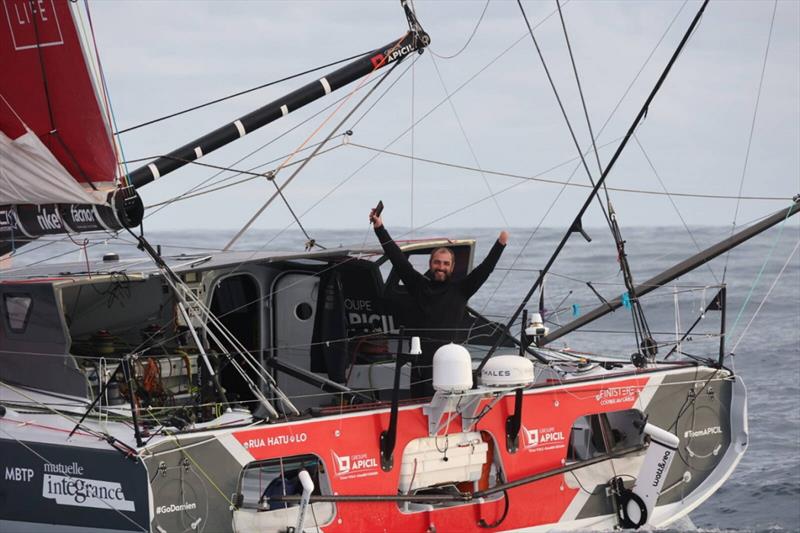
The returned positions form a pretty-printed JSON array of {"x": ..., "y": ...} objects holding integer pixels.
[{"x": 46, "y": 85}]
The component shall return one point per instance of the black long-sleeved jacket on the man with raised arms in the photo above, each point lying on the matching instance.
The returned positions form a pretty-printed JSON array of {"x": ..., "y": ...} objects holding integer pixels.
[{"x": 440, "y": 305}]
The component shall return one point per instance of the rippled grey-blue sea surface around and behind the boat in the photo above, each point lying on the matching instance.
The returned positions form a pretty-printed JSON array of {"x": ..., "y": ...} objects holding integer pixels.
[{"x": 763, "y": 324}]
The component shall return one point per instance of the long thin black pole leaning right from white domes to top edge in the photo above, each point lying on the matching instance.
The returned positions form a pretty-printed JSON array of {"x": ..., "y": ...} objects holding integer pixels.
[{"x": 577, "y": 225}]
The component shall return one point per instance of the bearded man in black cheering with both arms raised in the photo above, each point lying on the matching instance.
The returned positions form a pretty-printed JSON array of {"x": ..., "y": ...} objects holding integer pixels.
[{"x": 440, "y": 302}]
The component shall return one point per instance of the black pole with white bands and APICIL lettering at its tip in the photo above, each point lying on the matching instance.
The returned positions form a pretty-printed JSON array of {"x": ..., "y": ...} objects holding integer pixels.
[{"x": 415, "y": 40}]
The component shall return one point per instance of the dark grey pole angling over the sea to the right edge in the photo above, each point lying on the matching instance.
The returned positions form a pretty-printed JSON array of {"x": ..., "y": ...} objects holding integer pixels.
[{"x": 679, "y": 269}]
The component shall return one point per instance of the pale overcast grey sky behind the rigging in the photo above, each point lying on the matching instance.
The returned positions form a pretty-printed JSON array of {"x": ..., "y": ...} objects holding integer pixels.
[{"x": 163, "y": 56}]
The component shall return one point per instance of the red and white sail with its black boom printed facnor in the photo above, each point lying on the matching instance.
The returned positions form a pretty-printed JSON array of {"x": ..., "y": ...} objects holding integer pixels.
[{"x": 58, "y": 165}]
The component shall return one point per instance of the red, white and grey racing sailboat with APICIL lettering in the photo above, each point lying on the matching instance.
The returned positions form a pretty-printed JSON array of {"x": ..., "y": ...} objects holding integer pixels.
[{"x": 269, "y": 391}]
